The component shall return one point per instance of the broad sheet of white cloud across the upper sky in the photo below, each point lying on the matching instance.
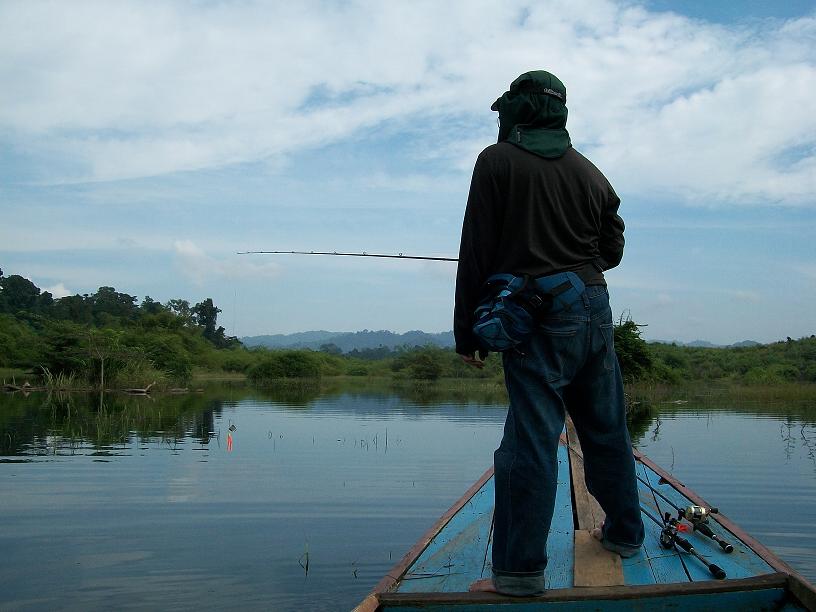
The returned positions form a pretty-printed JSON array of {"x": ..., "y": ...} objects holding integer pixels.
[{"x": 716, "y": 115}]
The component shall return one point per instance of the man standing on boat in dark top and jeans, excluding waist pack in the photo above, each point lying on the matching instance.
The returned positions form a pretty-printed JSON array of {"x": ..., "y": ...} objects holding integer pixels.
[{"x": 537, "y": 207}]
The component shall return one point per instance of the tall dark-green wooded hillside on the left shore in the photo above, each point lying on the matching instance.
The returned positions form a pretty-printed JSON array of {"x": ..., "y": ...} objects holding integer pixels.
[{"x": 107, "y": 335}]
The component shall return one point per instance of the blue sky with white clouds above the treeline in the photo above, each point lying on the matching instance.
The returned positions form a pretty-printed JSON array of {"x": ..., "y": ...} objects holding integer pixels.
[{"x": 143, "y": 144}]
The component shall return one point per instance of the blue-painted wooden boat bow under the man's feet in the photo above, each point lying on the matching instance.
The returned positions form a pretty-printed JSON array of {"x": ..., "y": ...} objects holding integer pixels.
[{"x": 436, "y": 573}]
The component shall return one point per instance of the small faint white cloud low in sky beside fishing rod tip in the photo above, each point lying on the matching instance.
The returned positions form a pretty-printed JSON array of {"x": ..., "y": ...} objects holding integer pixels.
[{"x": 201, "y": 268}]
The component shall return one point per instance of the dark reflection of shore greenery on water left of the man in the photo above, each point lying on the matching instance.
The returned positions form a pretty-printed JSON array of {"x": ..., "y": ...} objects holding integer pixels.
[{"x": 64, "y": 423}]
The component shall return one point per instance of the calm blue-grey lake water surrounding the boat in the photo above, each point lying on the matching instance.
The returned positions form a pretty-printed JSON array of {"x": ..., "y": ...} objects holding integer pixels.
[{"x": 303, "y": 498}]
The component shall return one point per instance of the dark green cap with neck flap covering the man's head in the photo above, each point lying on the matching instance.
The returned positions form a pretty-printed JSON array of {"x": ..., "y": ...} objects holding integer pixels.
[{"x": 533, "y": 114}]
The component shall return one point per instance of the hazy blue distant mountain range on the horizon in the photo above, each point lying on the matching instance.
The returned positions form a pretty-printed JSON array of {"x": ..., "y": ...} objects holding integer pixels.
[{"x": 366, "y": 339}]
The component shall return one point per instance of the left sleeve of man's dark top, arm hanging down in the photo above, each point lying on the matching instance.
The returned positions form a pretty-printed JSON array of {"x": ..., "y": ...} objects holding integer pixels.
[{"x": 481, "y": 230}]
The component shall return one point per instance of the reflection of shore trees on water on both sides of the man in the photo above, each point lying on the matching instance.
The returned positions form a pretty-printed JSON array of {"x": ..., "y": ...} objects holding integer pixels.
[{"x": 58, "y": 422}]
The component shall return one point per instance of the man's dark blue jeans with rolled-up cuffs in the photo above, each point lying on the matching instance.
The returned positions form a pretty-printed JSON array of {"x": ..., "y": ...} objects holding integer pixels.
[{"x": 568, "y": 364}]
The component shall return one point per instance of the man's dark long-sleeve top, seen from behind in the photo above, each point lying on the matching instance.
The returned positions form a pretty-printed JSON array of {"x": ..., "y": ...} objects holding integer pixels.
[{"x": 530, "y": 215}]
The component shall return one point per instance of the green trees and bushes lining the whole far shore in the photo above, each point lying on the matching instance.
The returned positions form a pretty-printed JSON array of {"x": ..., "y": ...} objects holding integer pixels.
[{"x": 108, "y": 341}]
